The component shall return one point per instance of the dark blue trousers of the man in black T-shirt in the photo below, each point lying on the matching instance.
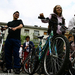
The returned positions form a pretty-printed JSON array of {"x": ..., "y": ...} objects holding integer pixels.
[{"x": 12, "y": 47}]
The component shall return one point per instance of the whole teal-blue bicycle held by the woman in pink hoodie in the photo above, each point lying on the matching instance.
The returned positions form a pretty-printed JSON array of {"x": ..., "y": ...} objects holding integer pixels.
[{"x": 54, "y": 54}]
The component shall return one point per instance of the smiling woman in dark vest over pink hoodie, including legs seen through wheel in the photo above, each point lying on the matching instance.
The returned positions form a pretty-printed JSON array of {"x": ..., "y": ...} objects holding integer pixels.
[{"x": 57, "y": 21}]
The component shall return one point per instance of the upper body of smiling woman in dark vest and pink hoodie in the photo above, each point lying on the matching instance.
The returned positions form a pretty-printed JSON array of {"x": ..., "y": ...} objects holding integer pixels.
[{"x": 57, "y": 18}]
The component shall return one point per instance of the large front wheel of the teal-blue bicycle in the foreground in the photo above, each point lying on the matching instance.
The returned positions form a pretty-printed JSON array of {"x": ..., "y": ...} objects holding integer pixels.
[{"x": 56, "y": 62}]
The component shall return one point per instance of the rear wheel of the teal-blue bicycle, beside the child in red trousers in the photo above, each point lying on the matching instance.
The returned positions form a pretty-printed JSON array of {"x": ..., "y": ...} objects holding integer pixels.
[{"x": 29, "y": 64}]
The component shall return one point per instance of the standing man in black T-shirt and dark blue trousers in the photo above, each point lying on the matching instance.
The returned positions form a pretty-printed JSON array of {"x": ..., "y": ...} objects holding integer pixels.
[{"x": 13, "y": 43}]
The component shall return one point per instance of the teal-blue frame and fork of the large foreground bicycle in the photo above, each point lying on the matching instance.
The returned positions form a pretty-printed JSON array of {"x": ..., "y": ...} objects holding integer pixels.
[{"x": 48, "y": 42}]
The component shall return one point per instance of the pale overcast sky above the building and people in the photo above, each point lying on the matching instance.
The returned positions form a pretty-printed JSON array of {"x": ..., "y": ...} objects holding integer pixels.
[{"x": 30, "y": 10}]
